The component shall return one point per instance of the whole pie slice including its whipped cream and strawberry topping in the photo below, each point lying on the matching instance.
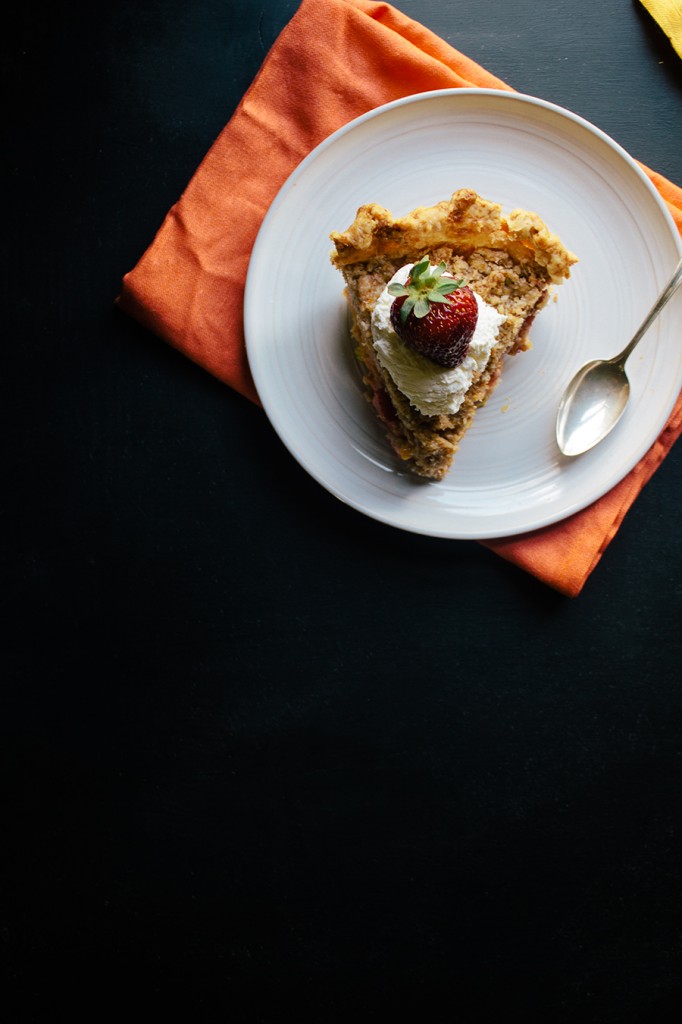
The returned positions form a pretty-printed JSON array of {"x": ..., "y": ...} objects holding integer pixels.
[{"x": 509, "y": 263}]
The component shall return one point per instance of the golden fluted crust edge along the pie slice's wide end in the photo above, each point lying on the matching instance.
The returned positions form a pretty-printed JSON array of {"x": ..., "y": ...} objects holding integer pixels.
[{"x": 466, "y": 222}]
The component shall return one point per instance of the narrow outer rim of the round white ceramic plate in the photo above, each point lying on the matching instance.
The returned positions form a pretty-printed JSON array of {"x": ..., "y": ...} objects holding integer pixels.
[{"x": 366, "y": 508}]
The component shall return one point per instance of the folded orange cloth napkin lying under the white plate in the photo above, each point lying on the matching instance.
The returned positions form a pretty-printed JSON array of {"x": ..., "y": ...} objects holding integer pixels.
[{"x": 335, "y": 61}]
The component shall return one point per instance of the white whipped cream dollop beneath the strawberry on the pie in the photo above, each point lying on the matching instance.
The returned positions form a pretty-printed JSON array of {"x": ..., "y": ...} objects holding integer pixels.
[{"x": 433, "y": 390}]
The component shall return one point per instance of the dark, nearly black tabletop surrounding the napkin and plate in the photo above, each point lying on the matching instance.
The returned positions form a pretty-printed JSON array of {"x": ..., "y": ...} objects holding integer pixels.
[{"x": 264, "y": 757}]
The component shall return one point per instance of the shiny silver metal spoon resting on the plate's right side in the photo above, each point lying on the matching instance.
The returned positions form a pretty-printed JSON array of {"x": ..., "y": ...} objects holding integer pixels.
[{"x": 596, "y": 398}]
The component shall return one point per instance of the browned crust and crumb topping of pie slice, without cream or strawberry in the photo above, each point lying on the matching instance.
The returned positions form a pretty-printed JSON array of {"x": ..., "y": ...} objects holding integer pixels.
[{"x": 510, "y": 261}]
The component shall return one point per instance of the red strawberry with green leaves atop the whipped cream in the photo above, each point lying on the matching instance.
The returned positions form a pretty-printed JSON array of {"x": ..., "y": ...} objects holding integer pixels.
[{"x": 435, "y": 315}]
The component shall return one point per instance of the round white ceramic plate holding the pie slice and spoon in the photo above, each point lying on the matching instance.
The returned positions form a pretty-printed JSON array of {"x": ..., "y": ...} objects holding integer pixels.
[{"x": 509, "y": 477}]
